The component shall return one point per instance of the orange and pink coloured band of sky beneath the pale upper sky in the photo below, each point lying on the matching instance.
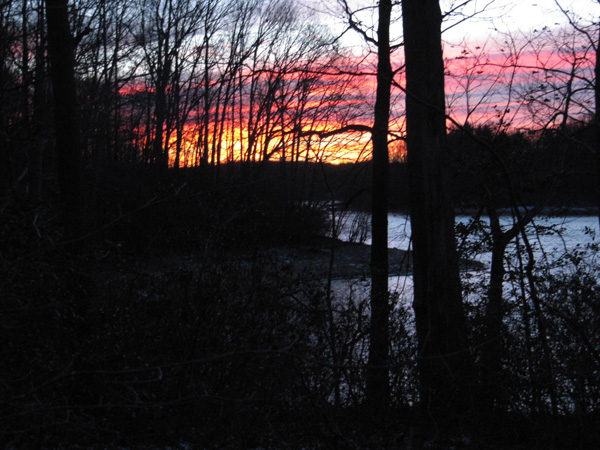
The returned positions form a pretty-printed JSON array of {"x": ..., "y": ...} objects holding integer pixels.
[{"x": 272, "y": 116}]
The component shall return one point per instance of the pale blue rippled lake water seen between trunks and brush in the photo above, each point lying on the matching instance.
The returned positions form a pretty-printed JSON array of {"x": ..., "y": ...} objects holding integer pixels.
[{"x": 558, "y": 244}]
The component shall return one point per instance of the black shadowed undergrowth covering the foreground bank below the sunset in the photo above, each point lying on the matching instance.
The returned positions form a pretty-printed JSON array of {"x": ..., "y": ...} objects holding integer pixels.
[{"x": 170, "y": 324}]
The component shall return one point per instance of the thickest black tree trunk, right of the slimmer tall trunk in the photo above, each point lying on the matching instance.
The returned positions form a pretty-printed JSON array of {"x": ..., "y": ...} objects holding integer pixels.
[{"x": 445, "y": 366}]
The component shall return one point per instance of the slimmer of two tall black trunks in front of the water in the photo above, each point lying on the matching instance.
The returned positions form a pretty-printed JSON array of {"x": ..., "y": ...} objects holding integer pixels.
[{"x": 378, "y": 373}]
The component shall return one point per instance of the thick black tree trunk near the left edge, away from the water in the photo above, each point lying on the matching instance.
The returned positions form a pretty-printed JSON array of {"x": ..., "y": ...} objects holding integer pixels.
[{"x": 61, "y": 49}]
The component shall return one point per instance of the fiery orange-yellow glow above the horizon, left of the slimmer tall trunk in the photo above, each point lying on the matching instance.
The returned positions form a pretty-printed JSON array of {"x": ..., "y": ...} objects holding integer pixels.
[{"x": 302, "y": 118}]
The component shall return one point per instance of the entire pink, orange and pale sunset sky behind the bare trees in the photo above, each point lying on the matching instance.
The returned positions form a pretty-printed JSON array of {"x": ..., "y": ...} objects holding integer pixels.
[{"x": 269, "y": 78}]
